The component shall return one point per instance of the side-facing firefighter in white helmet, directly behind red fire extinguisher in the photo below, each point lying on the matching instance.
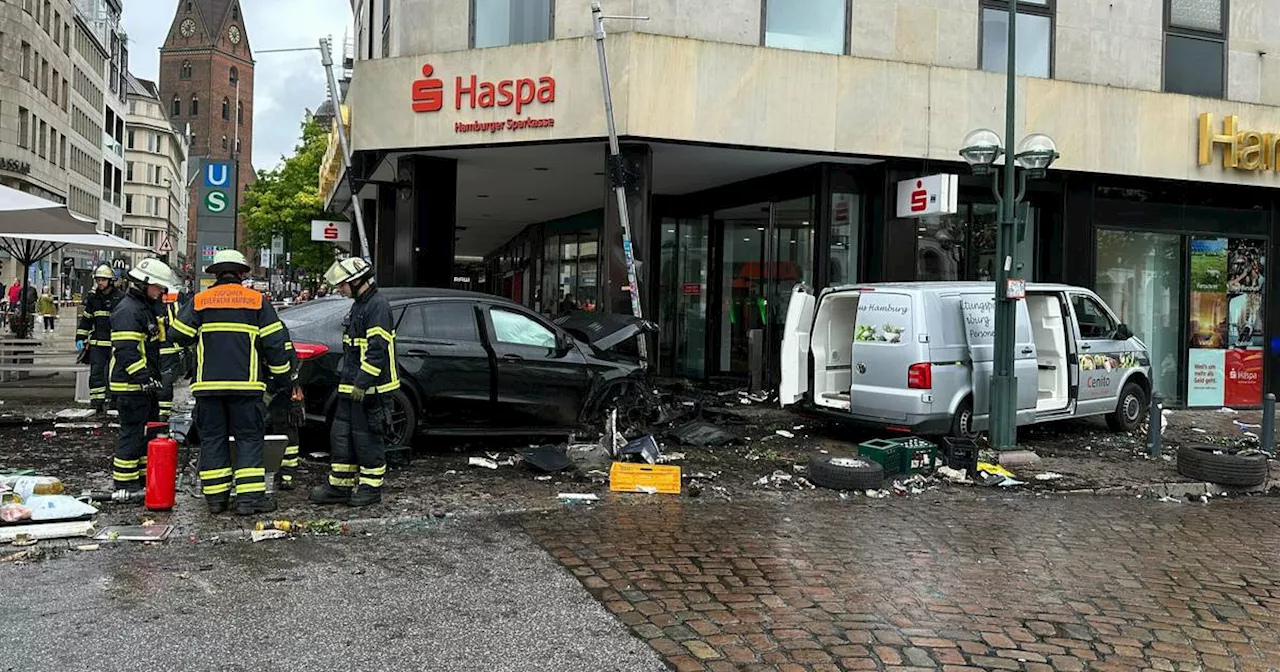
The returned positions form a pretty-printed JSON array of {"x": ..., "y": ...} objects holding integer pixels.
[{"x": 135, "y": 368}]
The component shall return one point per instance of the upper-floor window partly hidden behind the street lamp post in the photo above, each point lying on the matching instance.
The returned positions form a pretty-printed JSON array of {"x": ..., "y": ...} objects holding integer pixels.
[{"x": 1035, "y": 38}]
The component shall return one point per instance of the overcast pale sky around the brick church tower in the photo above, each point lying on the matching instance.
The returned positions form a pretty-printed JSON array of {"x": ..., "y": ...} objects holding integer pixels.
[{"x": 285, "y": 84}]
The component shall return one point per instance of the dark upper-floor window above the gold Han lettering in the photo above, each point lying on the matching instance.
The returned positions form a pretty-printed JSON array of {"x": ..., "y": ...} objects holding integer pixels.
[{"x": 1196, "y": 48}]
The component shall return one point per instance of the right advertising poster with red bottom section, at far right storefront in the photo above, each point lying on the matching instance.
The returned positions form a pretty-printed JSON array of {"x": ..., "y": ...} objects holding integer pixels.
[{"x": 1246, "y": 276}]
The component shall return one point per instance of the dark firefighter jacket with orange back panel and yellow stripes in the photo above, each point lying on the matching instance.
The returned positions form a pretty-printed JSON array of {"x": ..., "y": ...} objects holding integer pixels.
[{"x": 236, "y": 332}]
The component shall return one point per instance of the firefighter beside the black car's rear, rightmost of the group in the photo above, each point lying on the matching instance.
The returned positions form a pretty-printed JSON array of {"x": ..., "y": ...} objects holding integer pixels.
[{"x": 365, "y": 385}]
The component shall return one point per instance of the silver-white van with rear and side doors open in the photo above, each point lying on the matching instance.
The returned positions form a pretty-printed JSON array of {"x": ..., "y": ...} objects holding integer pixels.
[{"x": 917, "y": 358}]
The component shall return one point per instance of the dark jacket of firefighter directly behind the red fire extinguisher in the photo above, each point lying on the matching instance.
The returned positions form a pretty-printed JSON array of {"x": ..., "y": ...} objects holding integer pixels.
[{"x": 135, "y": 344}]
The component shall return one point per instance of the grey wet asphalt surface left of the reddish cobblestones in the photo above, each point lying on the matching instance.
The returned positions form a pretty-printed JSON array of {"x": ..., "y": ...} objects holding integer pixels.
[{"x": 446, "y": 597}]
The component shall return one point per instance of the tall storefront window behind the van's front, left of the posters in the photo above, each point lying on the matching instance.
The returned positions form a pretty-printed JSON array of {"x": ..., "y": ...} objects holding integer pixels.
[{"x": 1141, "y": 278}]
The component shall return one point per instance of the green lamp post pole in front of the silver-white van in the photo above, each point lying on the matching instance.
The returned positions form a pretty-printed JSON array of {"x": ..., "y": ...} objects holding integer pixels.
[{"x": 1004, "y": 383}]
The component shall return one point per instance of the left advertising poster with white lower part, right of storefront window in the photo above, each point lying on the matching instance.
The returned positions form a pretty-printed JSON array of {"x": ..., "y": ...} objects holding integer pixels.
[{"x": 1209, "y": 326}]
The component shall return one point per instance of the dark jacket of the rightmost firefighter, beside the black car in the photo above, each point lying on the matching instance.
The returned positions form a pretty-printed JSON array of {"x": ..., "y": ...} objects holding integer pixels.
[{"x": 369, "y": 348}]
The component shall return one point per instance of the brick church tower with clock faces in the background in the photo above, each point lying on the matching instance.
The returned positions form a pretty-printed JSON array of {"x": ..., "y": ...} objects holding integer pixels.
[{"x": 207, "y": 81}]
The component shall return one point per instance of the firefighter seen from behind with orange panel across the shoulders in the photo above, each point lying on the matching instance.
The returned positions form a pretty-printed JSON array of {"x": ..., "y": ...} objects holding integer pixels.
[{"x": 239, "y": 332}]
